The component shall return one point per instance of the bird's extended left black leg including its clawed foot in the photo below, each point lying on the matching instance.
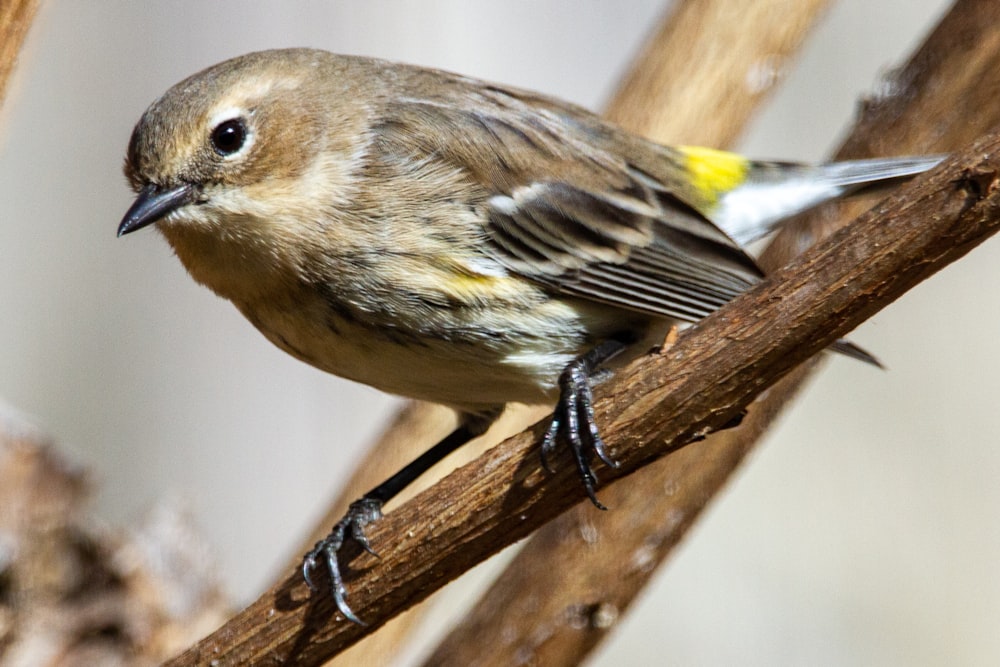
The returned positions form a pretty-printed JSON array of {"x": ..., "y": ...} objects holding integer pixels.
[{"x": 368, "y": 509}]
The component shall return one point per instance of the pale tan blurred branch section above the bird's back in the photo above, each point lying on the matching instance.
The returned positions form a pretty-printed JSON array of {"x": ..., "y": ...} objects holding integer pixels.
[{"x": 705, "y": 70}]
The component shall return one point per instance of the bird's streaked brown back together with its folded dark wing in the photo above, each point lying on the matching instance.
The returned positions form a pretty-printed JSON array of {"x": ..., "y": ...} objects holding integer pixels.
[{"x": 577, "y": 205}]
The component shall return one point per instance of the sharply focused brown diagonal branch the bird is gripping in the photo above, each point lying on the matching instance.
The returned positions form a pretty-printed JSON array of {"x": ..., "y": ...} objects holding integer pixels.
[{"x": 654, "y": 406}]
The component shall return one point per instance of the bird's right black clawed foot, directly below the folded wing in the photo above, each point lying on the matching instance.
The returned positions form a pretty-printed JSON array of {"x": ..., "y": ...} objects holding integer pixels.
[{"x": 573, "y": 418}]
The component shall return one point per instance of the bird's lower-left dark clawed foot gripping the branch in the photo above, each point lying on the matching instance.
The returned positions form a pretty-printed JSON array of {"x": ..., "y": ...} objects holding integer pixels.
[{"x": 352, "y": 526}]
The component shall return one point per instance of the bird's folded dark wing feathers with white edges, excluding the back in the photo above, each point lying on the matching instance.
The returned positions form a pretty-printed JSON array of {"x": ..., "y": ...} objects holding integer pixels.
[{"x": 667, "y": 261}]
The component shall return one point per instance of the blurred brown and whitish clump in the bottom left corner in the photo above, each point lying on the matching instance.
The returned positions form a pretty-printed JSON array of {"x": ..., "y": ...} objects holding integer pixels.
[{"x": 74, "y": 593}]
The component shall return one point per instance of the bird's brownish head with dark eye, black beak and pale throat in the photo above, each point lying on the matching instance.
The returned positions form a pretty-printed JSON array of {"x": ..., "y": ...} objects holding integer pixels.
[{"x": 237, "y": 164}]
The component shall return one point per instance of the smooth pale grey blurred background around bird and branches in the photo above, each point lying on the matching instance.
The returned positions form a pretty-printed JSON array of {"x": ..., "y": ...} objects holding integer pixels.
[{"x": 864, "y": 531}]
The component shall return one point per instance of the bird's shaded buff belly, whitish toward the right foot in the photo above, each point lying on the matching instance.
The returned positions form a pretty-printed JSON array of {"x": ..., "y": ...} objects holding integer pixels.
[{"x": 449, "y": 361}]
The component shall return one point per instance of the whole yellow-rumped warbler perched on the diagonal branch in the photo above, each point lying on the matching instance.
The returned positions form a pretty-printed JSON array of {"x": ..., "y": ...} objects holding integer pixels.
[{"x": 448, "y": 239}]
